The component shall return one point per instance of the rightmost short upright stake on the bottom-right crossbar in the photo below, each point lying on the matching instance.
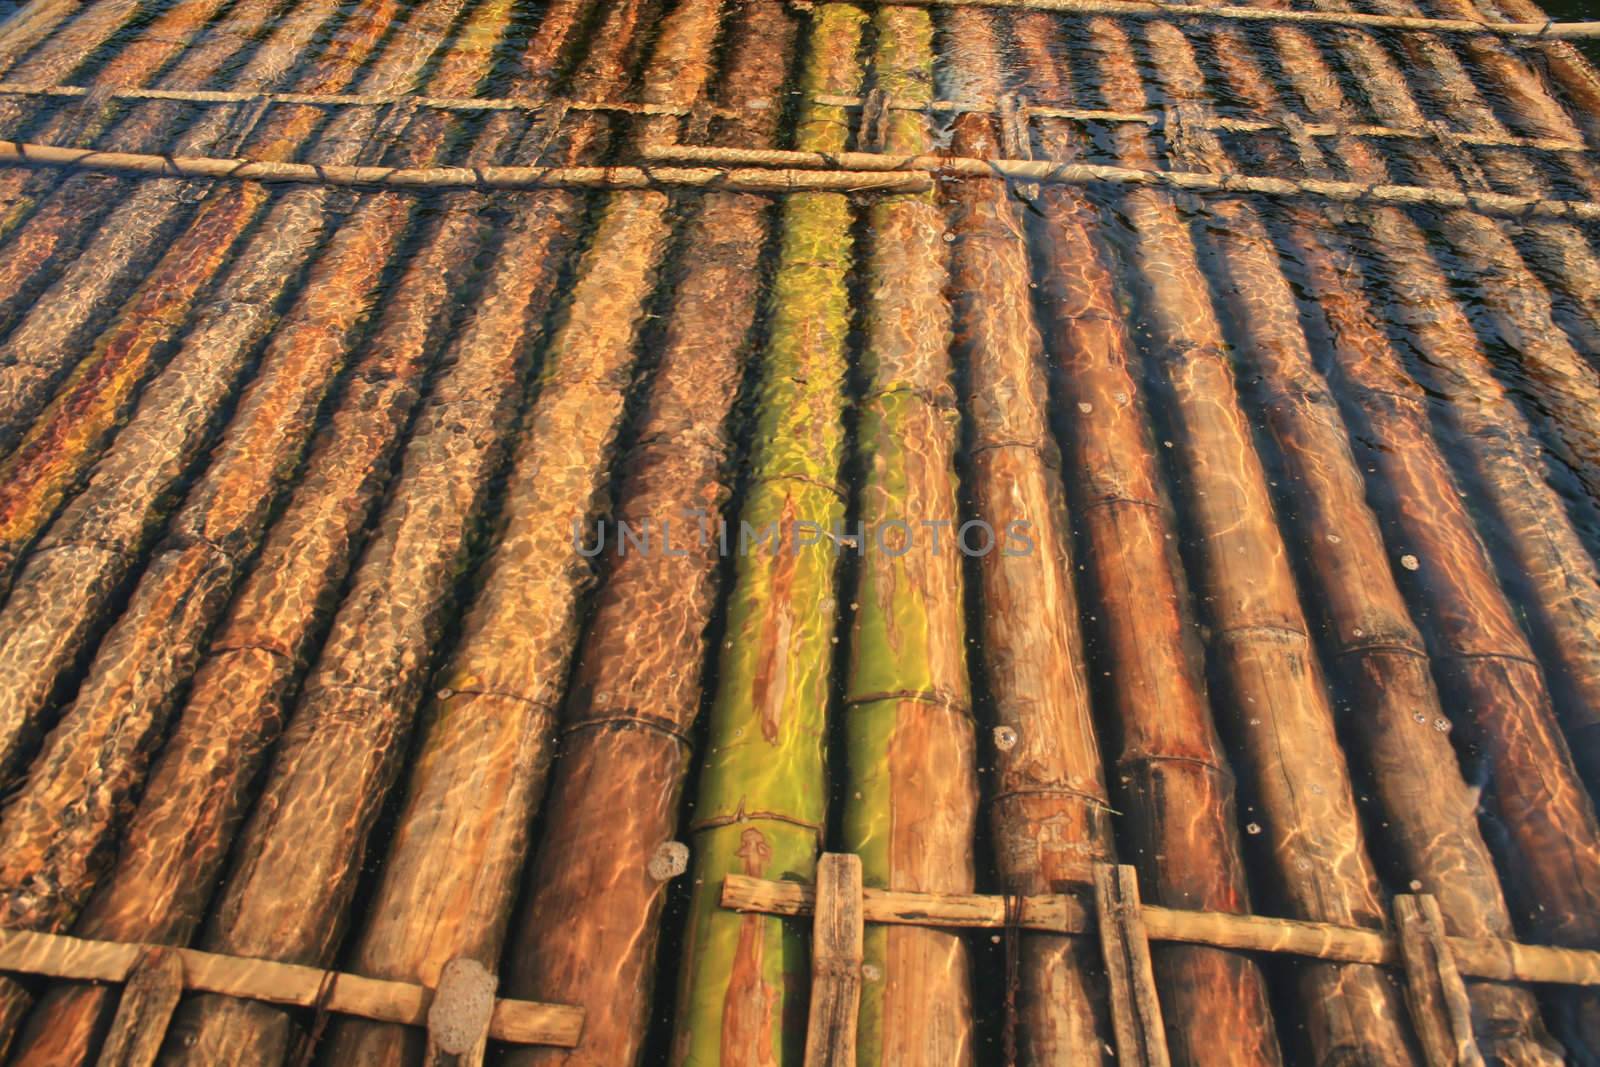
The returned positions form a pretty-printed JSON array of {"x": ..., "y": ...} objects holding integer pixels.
[{"x": 1441, "y": 1010}]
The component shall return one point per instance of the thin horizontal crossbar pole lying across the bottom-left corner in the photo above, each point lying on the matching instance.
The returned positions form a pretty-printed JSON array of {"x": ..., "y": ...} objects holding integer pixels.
[{"x": 57, "y": 956}]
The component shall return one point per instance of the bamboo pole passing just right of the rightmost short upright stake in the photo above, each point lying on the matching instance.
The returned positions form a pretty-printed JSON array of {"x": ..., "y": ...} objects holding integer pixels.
[{"x": 1430, "y": 812}]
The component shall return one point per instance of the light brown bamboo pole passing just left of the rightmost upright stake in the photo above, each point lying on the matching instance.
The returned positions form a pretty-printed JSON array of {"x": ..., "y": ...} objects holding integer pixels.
[{"x": 1281, "y": 709}]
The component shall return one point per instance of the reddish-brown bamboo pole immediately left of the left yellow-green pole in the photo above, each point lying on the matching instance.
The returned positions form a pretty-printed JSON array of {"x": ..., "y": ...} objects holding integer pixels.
[{"x": 593, "y": 921}]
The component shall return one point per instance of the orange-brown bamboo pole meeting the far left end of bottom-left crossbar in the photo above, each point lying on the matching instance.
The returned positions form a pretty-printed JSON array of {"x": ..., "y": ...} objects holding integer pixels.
[{"x": 95, "y": 761}]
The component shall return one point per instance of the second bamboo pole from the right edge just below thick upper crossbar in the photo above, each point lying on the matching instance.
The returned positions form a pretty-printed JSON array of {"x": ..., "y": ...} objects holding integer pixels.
[{"x": 1516, "y": 303}]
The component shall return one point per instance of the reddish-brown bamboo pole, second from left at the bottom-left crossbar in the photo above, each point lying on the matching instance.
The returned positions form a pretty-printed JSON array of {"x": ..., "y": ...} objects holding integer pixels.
[{"x": 201, "y": 785}]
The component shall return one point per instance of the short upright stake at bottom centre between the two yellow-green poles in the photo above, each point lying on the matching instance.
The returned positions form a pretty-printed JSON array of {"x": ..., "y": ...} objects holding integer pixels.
[{"x": 838, "y": 948}]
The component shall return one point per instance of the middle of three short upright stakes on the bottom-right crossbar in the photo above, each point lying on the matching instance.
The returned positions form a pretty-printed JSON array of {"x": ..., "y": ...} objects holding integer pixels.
[{"x": 1135, "y": 1007}]
